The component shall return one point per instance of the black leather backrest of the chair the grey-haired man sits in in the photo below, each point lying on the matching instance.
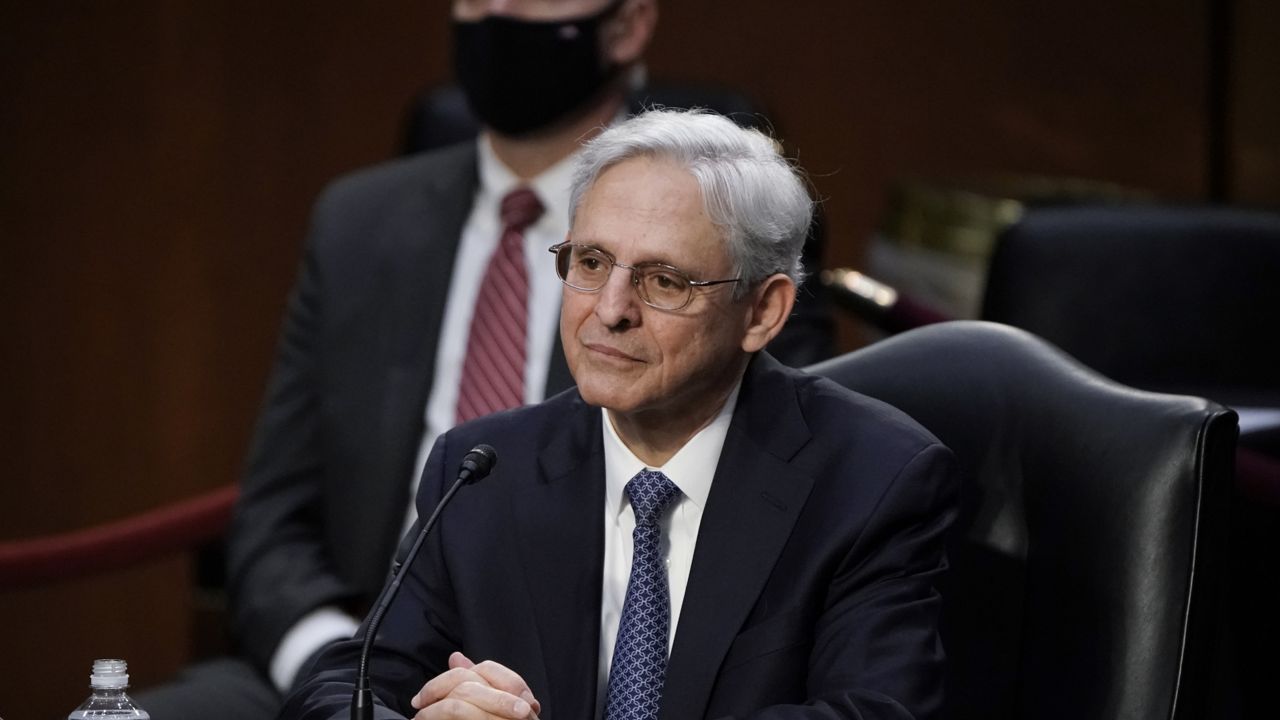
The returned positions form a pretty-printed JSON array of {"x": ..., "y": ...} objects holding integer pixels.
[{"x": 1085, "y": 557}]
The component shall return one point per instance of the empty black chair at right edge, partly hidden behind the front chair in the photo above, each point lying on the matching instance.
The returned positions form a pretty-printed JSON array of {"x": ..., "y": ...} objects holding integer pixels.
[{"x": 1182, "y": 299}]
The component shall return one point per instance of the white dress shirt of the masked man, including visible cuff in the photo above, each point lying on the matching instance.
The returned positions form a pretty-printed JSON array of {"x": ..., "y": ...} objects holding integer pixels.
[{"x": 481, "y": 238}]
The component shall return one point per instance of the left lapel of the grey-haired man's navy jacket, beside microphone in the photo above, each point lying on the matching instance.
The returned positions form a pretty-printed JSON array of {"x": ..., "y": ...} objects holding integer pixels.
[{"x": 559, "y": 514}]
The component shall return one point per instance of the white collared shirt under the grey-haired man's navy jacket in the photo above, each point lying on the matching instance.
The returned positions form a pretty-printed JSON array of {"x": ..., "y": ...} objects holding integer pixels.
[{"x": 692, "y": 471}]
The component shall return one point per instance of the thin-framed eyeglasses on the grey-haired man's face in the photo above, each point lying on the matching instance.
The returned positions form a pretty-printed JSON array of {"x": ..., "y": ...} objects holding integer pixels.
[{"x": 587, "y": 270}]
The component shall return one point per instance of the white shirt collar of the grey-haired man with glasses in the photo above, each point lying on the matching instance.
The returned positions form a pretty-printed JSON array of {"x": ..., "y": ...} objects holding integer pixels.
[{"x": 691, "y": 470}]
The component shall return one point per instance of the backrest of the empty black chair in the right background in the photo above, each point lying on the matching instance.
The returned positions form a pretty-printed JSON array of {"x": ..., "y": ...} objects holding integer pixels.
[{"x": 1182, "y": 299}]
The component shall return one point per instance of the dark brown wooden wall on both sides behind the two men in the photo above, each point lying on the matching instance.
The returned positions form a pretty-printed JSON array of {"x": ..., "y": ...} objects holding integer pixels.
[{"x": 158, "y": 161}]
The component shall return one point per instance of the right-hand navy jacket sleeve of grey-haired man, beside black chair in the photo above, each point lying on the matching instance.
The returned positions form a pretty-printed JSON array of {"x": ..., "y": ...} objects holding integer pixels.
[{"x": 876, "y": 650}]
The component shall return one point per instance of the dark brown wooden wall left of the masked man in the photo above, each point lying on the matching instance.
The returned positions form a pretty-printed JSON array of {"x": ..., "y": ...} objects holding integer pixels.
[{"x": 158, "y": 161}]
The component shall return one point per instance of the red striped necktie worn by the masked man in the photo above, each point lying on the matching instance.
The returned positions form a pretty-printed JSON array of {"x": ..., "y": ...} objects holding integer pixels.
[{"x": 493, "y": 373}]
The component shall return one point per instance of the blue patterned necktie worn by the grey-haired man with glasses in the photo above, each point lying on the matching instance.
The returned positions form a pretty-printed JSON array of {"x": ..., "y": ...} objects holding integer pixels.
[{"x": 639, "y": 666}]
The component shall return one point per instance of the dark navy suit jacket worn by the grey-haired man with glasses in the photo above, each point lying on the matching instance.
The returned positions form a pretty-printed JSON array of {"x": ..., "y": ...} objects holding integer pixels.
[{"x": 811, "y": 595}]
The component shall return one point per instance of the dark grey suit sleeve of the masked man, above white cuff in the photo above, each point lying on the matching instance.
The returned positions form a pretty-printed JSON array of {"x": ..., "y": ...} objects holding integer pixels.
[{"x": 278, "y": 564}]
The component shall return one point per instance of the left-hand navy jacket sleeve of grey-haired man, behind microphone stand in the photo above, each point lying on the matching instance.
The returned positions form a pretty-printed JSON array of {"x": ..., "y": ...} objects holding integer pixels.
[{"x": 415, "y": 640}]
